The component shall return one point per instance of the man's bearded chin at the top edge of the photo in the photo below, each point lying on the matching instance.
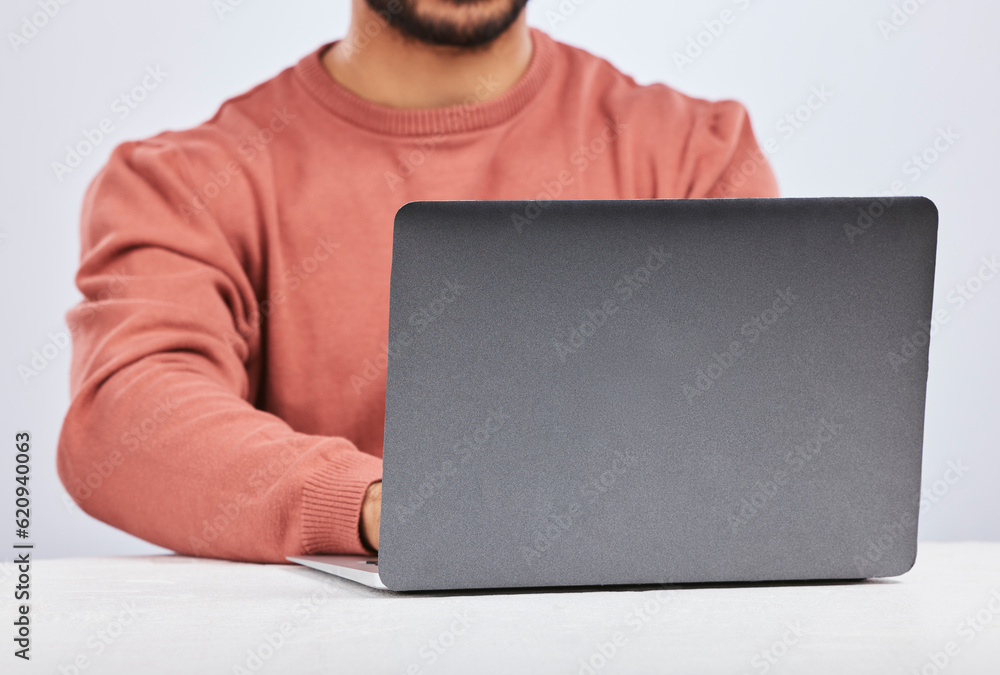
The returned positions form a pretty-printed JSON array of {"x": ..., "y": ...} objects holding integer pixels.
[{"x": 450, "y": 23}]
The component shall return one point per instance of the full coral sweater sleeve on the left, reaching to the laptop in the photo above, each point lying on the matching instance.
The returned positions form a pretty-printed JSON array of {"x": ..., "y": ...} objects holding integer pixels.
[{"x": 161, "y": 438}]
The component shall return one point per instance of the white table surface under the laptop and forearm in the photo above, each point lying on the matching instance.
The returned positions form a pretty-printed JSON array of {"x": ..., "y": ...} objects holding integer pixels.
[{"x": 188, "y": 615}]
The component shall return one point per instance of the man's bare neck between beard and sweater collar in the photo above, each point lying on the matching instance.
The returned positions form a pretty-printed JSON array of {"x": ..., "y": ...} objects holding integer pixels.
[{"x": 400, "y": 72}]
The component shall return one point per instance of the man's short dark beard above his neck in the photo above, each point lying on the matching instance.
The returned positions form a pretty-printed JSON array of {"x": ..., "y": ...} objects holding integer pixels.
[{"x": 435, "y": 30}]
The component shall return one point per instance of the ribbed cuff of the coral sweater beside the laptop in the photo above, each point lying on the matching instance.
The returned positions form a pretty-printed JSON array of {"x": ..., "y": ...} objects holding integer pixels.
[{"x": 331, "y": 503}]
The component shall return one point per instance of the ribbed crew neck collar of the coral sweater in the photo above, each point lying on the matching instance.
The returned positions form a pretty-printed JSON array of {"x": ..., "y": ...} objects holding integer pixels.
[{"x": 428, "y": 121}]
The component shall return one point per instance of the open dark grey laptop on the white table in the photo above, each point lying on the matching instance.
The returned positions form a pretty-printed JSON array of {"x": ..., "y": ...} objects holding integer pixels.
[{"x": 591, "y": 393}]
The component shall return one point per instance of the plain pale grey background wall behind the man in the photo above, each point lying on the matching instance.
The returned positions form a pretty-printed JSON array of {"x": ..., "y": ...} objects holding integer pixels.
[{"x": 891, "y": 95}]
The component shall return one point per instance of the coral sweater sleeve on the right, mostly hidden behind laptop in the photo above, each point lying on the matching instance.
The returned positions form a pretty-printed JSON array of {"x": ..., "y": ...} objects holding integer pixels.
[{"x": 726, "y": 158}]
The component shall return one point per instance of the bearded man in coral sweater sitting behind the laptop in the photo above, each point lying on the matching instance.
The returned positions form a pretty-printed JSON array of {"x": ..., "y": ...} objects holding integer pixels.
[{"x": 229, "y": 357}]
